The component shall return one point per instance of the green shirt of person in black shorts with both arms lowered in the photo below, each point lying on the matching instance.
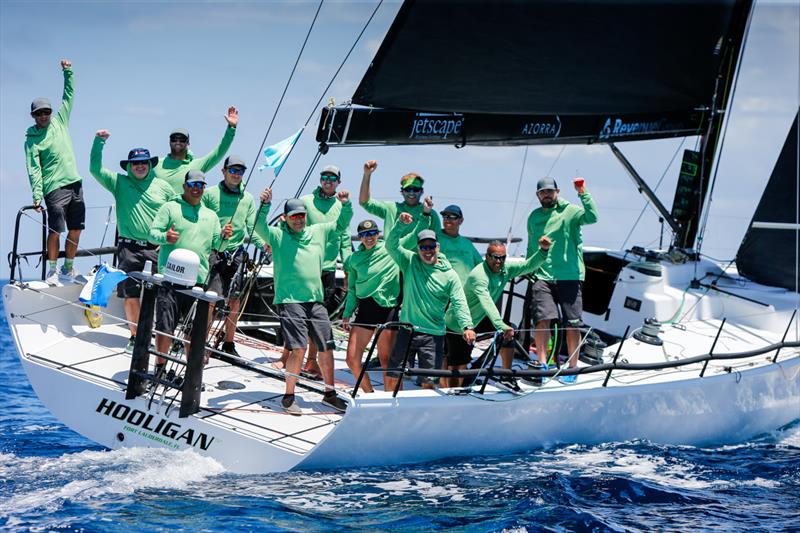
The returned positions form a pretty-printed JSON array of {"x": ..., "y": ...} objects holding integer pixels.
[{"x": 371, "y": 274}]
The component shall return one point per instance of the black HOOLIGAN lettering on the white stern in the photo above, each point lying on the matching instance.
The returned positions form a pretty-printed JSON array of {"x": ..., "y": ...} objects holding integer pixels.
[{"x": 154, "y": 428}]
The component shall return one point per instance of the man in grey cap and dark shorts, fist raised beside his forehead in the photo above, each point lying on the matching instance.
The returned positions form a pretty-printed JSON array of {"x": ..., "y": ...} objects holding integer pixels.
[{"x": 429, "y": 285}]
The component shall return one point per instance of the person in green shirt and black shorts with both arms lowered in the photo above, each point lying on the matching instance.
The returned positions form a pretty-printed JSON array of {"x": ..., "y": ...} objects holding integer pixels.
[{"x": 373, "y": 286}]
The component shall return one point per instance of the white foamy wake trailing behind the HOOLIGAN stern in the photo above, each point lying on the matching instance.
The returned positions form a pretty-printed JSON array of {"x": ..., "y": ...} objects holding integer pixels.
[{"x": 88, "y": 475}]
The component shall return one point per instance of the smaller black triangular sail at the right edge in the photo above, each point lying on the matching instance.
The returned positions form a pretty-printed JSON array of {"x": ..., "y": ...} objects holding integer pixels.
[{"x": 768, "y": 253}]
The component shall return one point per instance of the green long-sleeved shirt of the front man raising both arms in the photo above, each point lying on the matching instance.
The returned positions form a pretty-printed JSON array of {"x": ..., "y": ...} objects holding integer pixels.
[{"x": 298, "y": 256}]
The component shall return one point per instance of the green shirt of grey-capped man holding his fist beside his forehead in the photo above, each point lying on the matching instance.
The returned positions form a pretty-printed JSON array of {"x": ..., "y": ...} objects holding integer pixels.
[{"x": 427, "y": 289}]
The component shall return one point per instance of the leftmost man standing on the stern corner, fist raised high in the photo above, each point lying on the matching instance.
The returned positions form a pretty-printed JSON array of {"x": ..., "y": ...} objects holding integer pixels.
[{"x": 54, "y": 178}]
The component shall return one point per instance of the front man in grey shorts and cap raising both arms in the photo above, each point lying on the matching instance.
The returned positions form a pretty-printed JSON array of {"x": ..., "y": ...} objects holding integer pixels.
[{"x": 298, "y": 252}]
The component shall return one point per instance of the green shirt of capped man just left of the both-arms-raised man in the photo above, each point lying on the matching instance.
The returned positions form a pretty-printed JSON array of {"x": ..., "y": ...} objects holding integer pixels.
[{"x": 239, "y": 205}]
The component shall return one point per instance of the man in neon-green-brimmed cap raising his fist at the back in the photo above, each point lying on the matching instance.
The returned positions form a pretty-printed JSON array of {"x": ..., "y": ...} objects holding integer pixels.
[{"x": 411, "y": 187}]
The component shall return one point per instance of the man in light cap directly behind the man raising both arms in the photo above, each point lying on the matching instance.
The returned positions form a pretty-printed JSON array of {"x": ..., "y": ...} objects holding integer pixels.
[{"x": 322, "y": 206}]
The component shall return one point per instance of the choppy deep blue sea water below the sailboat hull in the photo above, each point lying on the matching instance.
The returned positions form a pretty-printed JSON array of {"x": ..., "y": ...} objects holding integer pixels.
[{"x": 53, "y": 479}]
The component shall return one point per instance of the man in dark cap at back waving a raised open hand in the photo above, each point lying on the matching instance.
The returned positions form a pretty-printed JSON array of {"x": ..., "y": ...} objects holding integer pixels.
[{"x": 173, "y": 167}]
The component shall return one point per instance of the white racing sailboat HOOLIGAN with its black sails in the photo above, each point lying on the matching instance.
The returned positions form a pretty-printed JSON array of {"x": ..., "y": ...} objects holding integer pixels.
[{"x": 689, "y": 351}]
